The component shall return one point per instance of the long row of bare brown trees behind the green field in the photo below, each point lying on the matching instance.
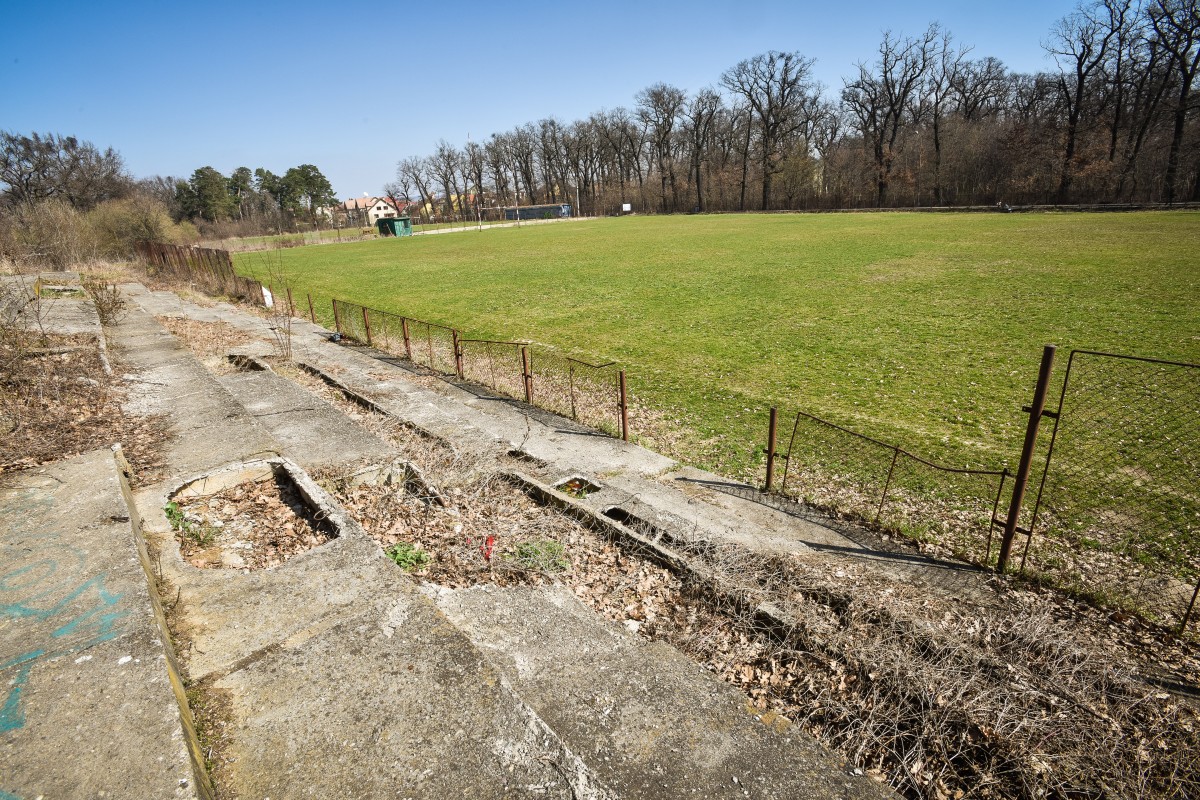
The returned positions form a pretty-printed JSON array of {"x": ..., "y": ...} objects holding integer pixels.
[{"x": 923, "y": 123}]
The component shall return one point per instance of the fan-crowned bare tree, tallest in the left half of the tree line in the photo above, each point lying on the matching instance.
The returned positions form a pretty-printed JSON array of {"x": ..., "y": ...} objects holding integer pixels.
[{"x": 781, "y": 89}]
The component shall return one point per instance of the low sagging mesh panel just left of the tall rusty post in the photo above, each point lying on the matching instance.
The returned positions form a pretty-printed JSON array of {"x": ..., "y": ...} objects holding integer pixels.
[{"x": 844, "y": 473}]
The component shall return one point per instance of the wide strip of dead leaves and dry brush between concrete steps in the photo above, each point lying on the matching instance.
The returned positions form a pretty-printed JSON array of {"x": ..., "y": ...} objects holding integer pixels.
[{"x": 941, "y": 699}]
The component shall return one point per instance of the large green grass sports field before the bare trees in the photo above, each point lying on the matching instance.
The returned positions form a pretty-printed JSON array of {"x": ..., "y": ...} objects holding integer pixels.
[{"x": 920, "y": 329}]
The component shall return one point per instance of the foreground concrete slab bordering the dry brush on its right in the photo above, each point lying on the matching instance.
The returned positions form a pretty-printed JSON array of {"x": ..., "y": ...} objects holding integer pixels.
[{"x": 647, "y": 720}]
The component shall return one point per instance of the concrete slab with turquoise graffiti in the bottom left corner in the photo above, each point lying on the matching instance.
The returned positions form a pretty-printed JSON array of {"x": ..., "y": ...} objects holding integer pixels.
[{"x": 92, "y": 700}]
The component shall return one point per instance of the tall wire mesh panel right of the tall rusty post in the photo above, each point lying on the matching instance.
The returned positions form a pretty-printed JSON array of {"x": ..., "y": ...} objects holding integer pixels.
[{"x": 1118, "y": 514}]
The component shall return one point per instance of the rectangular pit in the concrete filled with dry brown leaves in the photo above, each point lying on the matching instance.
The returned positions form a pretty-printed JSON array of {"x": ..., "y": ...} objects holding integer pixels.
[{"x": 253, "y": 526}]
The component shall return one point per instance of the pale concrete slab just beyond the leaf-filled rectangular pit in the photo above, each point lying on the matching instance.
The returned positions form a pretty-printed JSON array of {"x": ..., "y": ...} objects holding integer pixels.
[{"x": 311, "y": 431}]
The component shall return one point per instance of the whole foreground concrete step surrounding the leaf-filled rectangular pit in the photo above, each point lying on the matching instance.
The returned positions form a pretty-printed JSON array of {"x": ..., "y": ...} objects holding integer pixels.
[{"x": 344, "y": 681}]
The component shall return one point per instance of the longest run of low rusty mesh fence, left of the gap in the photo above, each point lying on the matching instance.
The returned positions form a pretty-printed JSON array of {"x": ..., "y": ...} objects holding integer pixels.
[{"x": 591, "y": 394}]
